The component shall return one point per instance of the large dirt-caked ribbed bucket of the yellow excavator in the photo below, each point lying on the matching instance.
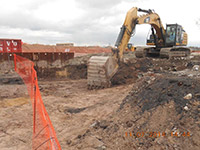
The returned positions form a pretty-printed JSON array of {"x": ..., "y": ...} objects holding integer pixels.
[{"x": 100, "y": 70}]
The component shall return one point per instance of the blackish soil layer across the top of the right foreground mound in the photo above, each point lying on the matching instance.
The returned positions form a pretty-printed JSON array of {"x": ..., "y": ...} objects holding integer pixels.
[{"x": 164, "y": 90}]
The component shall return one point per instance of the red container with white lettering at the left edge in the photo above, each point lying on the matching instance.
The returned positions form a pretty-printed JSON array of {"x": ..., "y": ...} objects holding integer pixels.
[{"x": 10, "y": 45}]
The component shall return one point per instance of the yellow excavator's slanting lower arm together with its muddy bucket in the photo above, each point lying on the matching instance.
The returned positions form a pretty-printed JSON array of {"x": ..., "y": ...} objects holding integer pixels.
[{"x": 102, "y": 68}]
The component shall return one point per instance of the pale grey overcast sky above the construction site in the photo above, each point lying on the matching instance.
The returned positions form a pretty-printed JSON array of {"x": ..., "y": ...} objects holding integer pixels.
[{"x": 90, "y": 22}]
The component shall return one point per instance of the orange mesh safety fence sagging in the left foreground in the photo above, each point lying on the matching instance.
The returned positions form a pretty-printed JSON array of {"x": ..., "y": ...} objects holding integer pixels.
[{"x": 44, "y": 136}]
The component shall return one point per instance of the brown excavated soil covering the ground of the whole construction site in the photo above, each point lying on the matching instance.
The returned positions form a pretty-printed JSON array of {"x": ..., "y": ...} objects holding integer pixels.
[{"x": 154, "y": 104}]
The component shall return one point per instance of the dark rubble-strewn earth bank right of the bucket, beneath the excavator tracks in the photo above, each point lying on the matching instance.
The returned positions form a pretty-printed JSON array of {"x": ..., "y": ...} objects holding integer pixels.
[{"x": 133, "y": 68}]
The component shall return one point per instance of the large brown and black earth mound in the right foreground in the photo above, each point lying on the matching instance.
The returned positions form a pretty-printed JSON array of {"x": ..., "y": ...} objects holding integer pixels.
[{"x": 155, "y": 115}]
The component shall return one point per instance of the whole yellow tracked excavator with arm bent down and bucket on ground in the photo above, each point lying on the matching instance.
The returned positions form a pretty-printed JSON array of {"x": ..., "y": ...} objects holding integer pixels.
[{"x": 166, "y": 43}]
